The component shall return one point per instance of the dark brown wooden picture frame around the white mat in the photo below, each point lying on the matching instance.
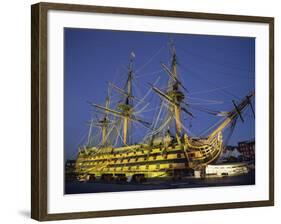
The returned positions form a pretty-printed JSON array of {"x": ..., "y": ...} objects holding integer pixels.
[{"x": 39, "y": 147}]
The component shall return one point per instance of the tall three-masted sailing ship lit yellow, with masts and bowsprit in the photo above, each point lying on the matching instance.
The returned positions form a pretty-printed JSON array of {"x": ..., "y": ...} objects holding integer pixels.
[{"x": 167, "y": 150}]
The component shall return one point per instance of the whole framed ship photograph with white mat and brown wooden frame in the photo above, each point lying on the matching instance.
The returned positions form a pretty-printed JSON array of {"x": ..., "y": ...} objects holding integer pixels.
[{"x": 139, "y": 111}]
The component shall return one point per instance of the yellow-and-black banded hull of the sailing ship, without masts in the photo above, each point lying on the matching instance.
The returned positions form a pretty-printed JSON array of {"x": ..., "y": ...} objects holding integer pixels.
[{"x": 142, "y": 161}]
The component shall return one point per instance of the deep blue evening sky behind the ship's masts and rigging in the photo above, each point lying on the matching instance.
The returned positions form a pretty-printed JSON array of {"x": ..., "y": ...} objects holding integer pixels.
[{"x": 94, "y": 57}]
